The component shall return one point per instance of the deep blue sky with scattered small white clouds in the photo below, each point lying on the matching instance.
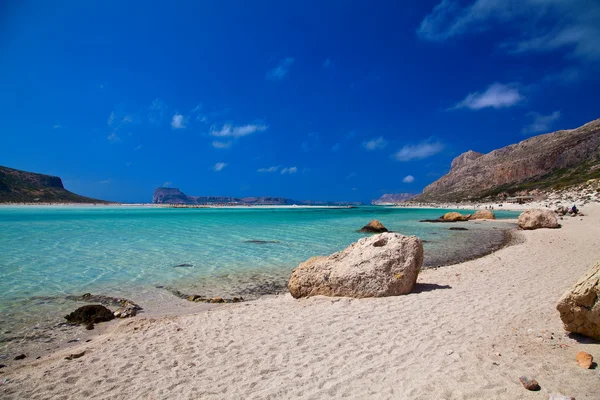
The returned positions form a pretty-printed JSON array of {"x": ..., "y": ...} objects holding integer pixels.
[{"x": 324, "y": 100}]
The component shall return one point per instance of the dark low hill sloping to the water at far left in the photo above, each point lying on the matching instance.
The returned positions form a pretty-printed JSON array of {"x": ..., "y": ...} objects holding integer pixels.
[{"x": 28, "y": 187}]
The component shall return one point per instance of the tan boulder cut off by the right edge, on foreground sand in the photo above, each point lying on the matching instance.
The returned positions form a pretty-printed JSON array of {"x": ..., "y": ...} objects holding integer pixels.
[{"x": 579, "y": 307}]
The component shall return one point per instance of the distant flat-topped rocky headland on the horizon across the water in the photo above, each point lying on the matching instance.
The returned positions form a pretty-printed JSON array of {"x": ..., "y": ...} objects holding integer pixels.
[{"x": 164, "y": 195}]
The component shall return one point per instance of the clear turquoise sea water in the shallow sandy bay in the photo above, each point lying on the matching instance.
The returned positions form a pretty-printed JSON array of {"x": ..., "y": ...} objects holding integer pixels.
[{"x": 47, "y": 253}]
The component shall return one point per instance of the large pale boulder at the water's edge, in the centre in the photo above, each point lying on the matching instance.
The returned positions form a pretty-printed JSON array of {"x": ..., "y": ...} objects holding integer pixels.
[{"x": 381, "y": 265}]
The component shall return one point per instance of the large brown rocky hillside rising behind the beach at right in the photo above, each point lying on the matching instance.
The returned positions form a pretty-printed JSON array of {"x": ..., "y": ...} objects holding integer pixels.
[{"x": 546, "y": 162}]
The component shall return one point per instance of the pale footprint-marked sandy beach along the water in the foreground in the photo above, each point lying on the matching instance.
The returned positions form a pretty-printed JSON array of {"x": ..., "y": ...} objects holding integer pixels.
[{"x": 467, "y": 332}]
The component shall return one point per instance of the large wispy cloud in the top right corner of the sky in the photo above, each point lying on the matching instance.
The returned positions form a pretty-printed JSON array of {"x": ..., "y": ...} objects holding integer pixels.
[{"x": 530, "y": 25}]
